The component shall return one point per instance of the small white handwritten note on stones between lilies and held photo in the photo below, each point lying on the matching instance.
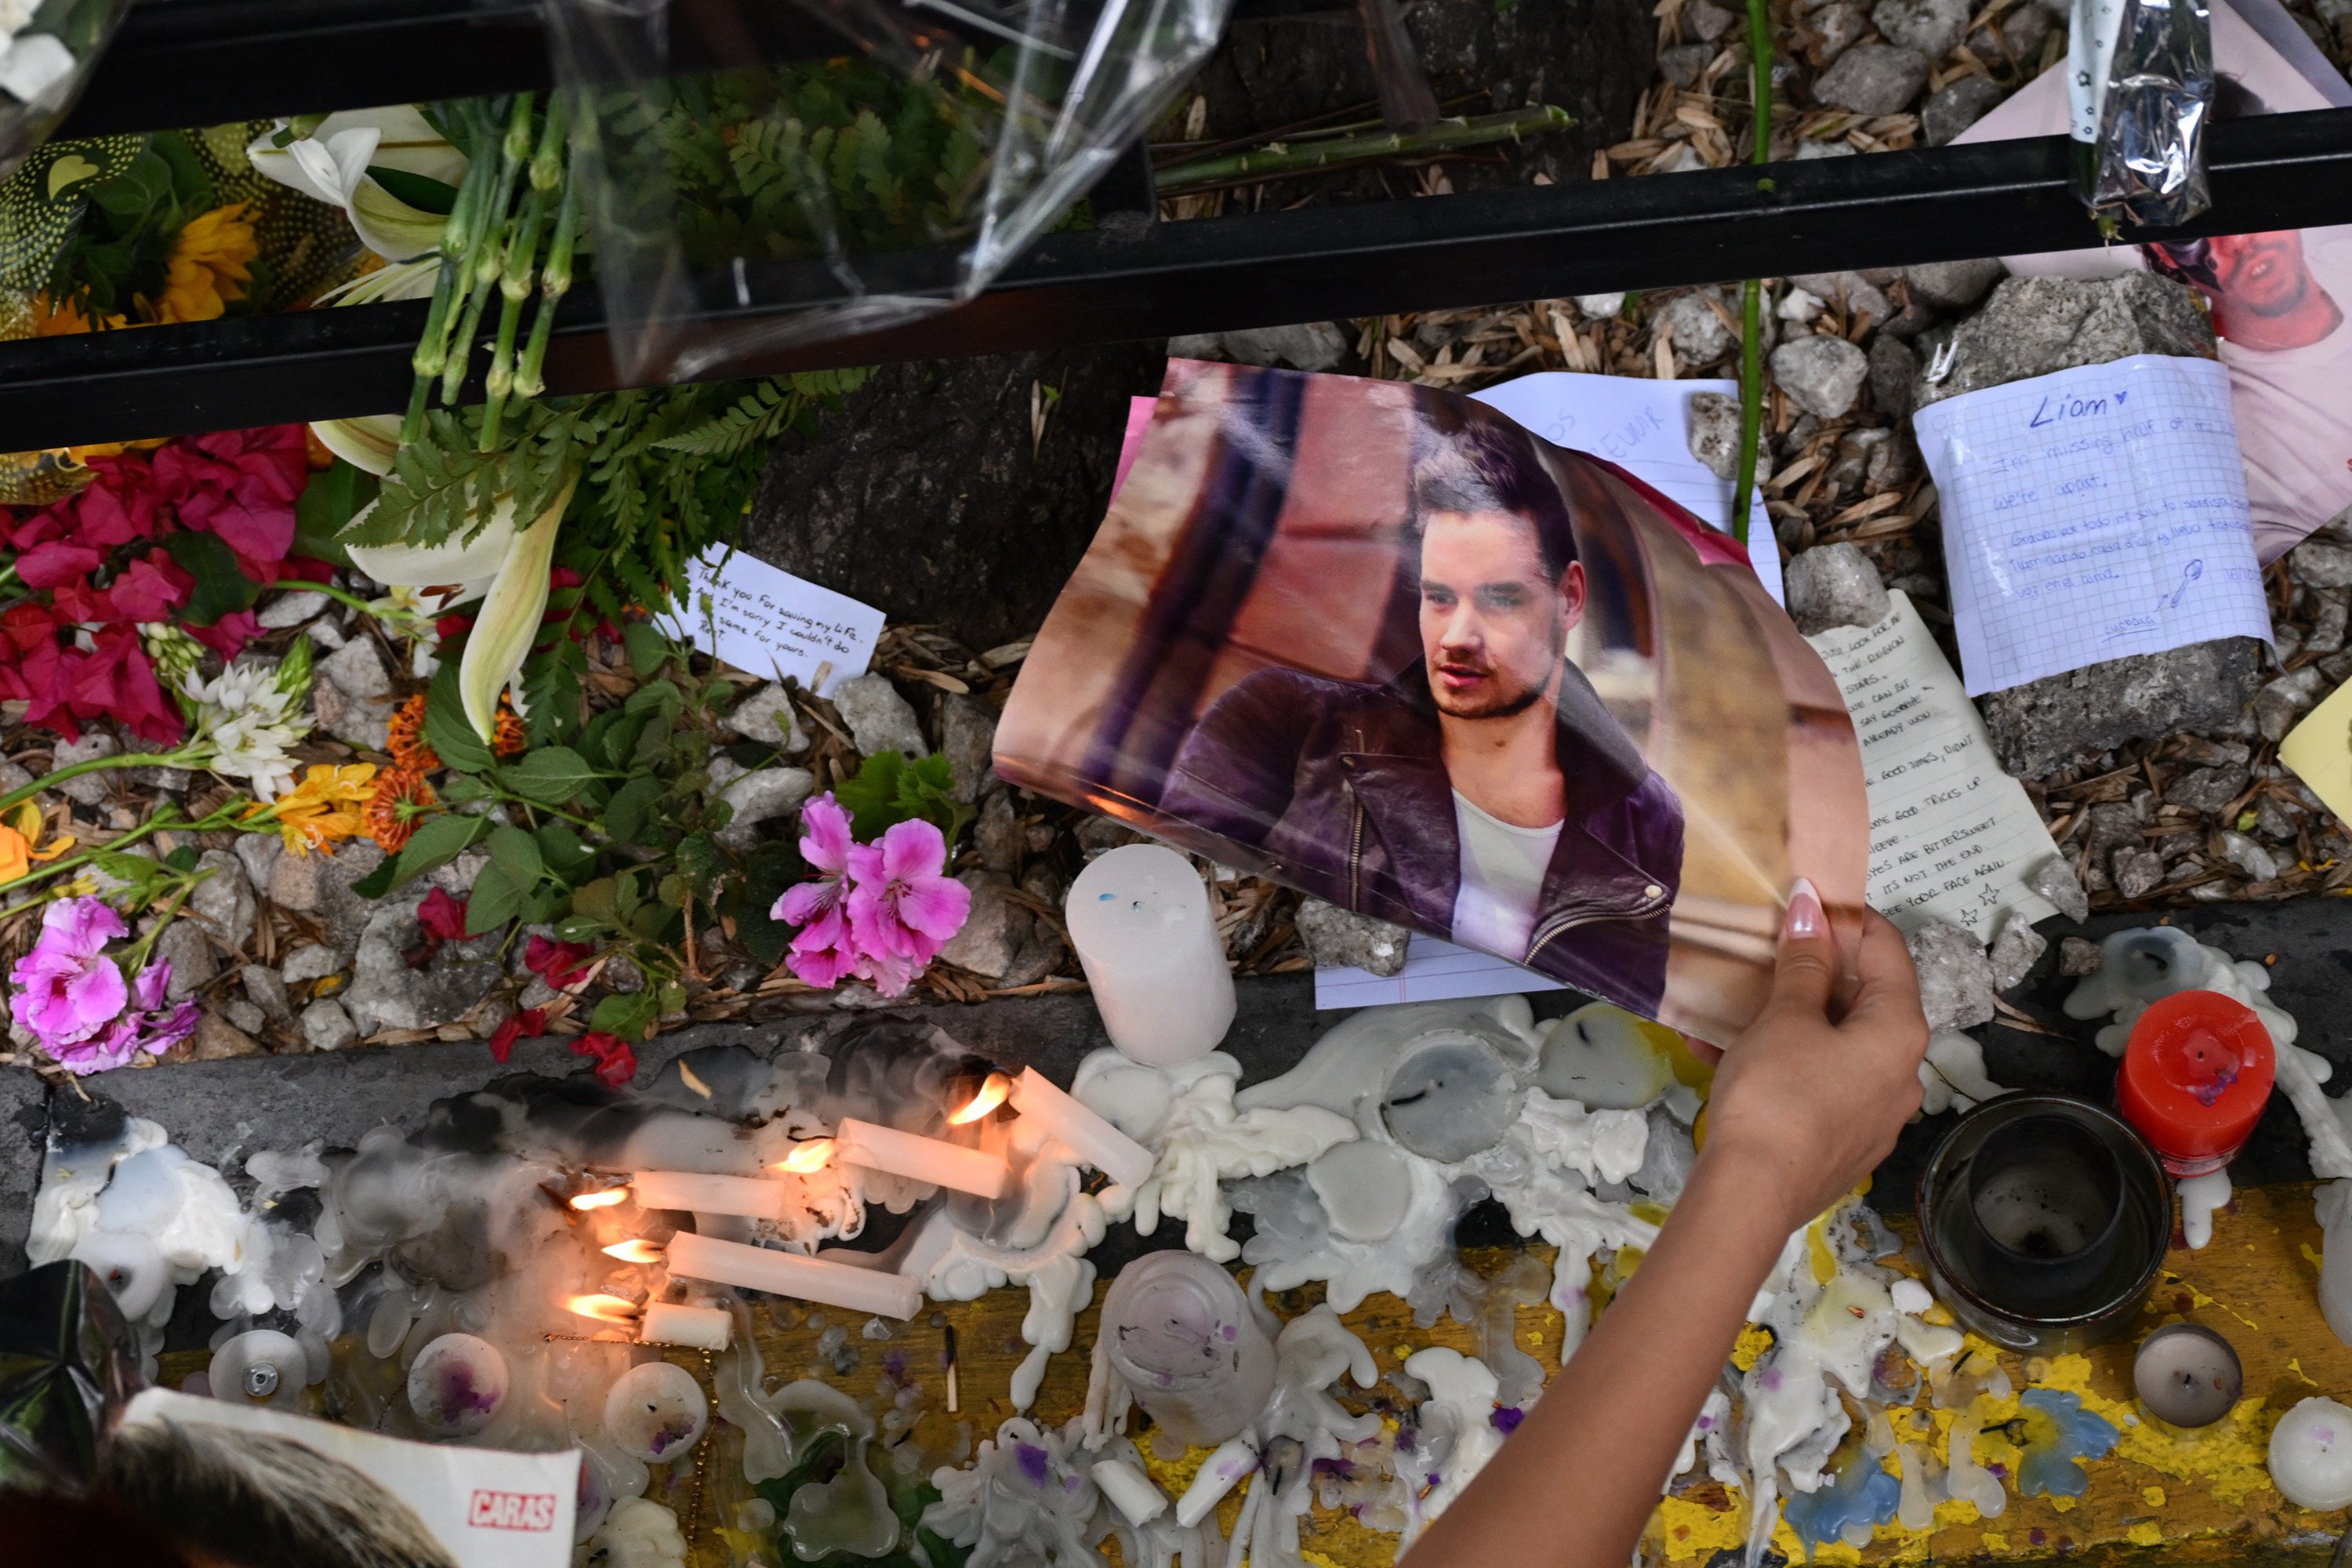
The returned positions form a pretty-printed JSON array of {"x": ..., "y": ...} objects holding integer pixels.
[{"x": 770, "y": 622}]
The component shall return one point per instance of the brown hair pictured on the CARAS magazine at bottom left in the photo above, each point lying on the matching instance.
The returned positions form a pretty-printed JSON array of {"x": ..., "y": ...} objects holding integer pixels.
[{"x": 262, "y": 1501}]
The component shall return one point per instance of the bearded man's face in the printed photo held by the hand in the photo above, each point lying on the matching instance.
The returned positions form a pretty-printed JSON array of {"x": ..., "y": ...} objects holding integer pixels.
[{"x": 1495, "y": 624}]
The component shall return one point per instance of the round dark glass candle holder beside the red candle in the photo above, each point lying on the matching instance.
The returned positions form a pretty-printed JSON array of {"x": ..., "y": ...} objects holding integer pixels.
[{"x": 2045, "y": 1221}]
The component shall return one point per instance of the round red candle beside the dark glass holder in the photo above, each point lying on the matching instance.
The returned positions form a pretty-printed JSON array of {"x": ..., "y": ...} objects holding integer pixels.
[{"x": 2196, "y": 1078}]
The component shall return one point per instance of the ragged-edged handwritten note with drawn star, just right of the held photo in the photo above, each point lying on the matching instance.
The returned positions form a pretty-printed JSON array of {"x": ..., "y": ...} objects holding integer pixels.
[{"x": 1951, "y": 833}]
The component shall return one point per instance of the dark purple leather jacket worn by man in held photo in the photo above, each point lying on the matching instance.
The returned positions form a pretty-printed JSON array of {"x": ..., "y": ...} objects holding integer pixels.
[{"x": 1342, "y": 791}]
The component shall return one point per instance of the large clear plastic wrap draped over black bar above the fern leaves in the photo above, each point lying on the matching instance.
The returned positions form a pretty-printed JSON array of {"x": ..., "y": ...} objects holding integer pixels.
[{"x": 888, "y": 170}]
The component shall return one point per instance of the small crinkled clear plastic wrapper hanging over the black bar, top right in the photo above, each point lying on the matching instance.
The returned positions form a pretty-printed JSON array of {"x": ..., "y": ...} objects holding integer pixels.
[{"x": 2141, "y": 88}]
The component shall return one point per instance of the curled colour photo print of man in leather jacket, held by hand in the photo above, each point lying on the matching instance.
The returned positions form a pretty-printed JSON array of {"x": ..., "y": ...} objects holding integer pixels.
[{"x": 1389, "y": 648}]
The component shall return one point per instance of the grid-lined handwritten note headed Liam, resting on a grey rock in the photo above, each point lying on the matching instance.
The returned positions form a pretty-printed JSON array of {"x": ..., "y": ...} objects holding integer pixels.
[{"x": 2092, "y": 514}]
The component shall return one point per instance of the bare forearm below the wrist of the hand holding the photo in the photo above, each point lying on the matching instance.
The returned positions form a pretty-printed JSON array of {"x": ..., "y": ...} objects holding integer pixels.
[{"x": 1582, "y": 1475}]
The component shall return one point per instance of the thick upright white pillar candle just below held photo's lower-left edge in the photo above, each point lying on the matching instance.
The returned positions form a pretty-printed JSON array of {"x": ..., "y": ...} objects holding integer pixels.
[{"x": 1140, "y": 920}]
